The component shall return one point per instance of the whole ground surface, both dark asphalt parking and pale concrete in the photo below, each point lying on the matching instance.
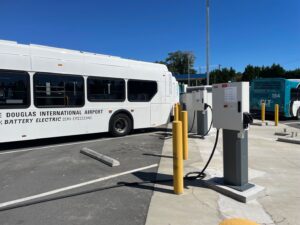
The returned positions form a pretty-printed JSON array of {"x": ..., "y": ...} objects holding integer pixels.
[{"x": 51, "y": 182}]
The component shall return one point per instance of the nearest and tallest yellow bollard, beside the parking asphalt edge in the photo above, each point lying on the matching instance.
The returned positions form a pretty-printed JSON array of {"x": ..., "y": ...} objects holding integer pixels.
[{"x": 177, "y": 158}]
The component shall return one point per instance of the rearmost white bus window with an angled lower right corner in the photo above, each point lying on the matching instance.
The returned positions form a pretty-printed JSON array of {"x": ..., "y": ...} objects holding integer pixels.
[{"x": 141, "y": 91}]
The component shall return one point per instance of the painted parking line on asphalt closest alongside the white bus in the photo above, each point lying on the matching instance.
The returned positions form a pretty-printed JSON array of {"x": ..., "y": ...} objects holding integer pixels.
[{"x": 73, "y": 143}]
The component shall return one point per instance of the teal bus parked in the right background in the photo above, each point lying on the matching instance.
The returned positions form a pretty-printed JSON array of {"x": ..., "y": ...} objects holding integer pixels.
[{"x": 271, "y": 91}]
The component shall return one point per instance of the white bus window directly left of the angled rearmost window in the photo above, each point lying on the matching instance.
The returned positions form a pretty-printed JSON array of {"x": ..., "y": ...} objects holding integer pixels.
[{"x": 105, "y": 89}]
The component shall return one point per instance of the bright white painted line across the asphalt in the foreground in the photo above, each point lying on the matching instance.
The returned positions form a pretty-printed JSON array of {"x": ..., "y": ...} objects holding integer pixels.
[{"x": 5, "y": 204}]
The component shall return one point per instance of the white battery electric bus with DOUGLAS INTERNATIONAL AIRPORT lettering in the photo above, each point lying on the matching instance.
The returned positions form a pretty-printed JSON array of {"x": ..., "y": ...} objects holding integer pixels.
[{"x": 51, "y": 92}]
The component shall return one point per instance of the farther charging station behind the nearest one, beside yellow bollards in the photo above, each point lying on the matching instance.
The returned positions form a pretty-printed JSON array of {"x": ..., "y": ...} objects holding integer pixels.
[{"x": 195, "y": 101}]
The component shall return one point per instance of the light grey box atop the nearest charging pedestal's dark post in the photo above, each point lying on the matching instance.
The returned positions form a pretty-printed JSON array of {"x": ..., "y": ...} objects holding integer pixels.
[{"x": 231, "y": 105}]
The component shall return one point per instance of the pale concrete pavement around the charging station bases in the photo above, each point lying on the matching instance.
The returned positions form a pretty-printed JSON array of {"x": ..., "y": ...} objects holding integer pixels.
[{"x": 273, "y": 165}]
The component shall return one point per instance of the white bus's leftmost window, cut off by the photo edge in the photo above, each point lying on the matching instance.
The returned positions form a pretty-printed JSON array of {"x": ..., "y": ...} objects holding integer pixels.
[{"x": 14, "y": 89}]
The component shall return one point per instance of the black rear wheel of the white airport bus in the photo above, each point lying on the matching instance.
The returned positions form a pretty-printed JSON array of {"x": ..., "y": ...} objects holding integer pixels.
[{"x": 120, "y": 125}]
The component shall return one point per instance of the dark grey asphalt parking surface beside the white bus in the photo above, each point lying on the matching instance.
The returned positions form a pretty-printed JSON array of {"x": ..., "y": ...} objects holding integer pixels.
[{"x": 51, "y": 182}]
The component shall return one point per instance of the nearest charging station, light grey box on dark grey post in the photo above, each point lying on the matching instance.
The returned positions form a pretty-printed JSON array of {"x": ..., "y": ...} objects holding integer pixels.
[{"x": 231, "y": 113}]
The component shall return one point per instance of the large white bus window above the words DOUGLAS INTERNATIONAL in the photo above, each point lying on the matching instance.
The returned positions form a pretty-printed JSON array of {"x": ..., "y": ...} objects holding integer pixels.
[{"x": 56, "y": 90}]
